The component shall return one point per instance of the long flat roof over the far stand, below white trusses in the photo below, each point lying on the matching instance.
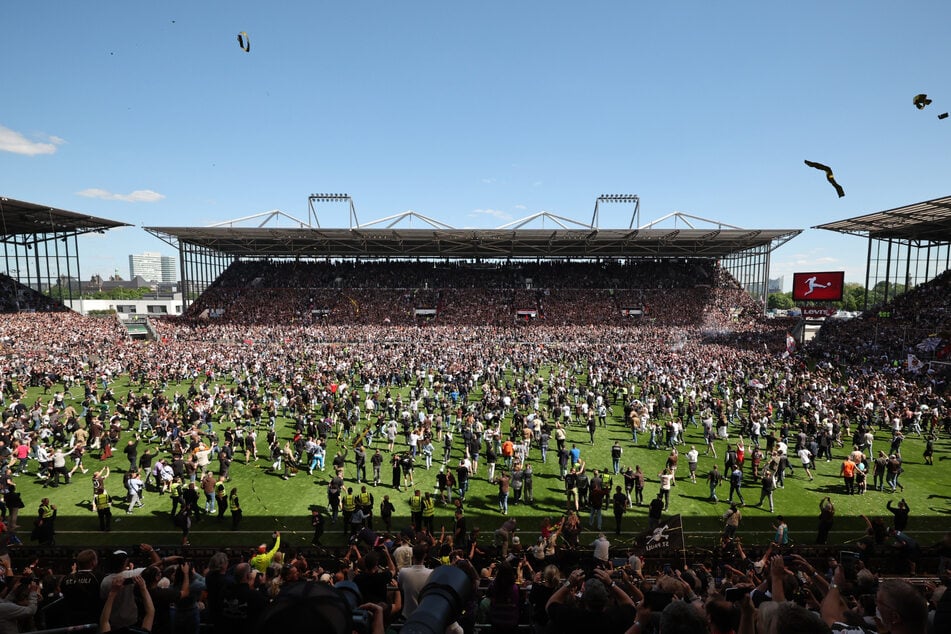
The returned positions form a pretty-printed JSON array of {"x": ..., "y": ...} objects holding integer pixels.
[{"x": 453, "y": 243}]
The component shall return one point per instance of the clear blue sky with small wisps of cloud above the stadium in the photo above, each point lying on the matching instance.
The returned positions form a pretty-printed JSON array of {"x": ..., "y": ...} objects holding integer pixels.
[{"x": 475, "y": 113}]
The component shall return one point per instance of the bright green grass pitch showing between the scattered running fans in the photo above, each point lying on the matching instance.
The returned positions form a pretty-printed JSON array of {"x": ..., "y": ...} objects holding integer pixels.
[{"x": 270, "y": 503}]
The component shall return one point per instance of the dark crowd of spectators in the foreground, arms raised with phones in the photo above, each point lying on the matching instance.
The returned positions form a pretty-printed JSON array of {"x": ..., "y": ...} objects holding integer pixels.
[{"x": 505, "y": 587}]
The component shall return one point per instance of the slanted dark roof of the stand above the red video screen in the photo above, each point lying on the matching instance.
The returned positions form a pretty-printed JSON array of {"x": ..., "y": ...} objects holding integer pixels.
[{"x": 925, "y": 221}]
